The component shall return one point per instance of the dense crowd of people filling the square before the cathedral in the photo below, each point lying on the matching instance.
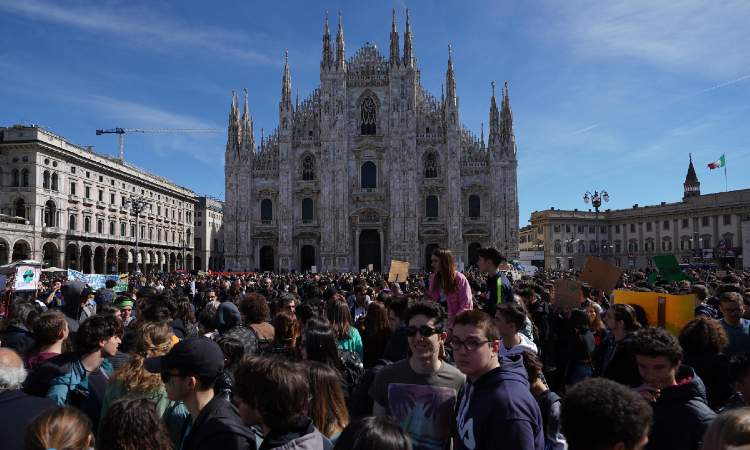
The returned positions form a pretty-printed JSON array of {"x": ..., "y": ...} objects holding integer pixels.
[{"x": 446, "y": 359}]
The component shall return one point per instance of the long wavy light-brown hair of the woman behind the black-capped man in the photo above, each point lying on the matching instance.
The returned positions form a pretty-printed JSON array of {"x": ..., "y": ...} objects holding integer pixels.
[{"x": 151, "y": 339}]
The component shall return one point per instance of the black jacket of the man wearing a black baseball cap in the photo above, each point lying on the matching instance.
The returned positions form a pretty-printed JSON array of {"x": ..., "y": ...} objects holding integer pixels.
[{"x": 218, "y": 426}]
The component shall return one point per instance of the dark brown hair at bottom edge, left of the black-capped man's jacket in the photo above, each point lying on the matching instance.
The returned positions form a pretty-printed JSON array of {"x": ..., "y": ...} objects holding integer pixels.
[{"x": 133, "y": 424}]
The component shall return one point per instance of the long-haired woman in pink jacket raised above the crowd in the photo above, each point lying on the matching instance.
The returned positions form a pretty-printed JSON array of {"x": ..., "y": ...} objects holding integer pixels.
[{"x": 448, "y": 286}]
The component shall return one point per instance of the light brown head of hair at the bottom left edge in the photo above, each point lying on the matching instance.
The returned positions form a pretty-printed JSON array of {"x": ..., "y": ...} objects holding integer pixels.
[{"x": 63, "y": 428}]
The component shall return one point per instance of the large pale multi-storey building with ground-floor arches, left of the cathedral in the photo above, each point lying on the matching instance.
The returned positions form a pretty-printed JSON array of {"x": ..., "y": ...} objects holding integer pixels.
[{"x": 67, "y": 206}]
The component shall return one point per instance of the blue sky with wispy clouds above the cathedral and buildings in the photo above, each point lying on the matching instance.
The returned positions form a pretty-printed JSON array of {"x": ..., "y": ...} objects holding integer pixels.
[{"x": 609, "y": 95}]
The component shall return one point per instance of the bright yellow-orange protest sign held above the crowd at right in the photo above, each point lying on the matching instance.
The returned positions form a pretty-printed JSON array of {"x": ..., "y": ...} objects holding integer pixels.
[{"x": 671, "y": 312}]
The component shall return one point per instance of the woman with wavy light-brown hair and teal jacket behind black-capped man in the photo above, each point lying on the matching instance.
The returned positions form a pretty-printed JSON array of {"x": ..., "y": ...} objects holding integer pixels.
[{"x": 133, "y": 380}]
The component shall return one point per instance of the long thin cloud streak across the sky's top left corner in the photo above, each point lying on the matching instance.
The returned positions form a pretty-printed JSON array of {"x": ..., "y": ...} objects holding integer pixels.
[{"x": 142, "y": 27}]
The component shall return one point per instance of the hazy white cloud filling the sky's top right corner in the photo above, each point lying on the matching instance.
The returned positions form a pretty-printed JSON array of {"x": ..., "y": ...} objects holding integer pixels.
[{"x": 710, "y": 38}]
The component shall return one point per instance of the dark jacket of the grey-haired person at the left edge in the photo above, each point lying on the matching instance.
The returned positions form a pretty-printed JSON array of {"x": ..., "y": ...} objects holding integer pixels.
[{"x": 17, "y": 411}]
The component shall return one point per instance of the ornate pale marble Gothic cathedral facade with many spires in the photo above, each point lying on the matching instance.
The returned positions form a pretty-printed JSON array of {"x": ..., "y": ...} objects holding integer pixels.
[{"x": 369, "y": 168}]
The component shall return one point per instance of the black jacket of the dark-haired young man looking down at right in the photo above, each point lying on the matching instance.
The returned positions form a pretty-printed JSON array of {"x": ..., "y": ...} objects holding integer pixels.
[{"x": 681, "y": 414}]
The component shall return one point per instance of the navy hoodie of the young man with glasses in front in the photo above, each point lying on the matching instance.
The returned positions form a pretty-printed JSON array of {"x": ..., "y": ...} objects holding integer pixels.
[{"x": 499, "y": 408}]
